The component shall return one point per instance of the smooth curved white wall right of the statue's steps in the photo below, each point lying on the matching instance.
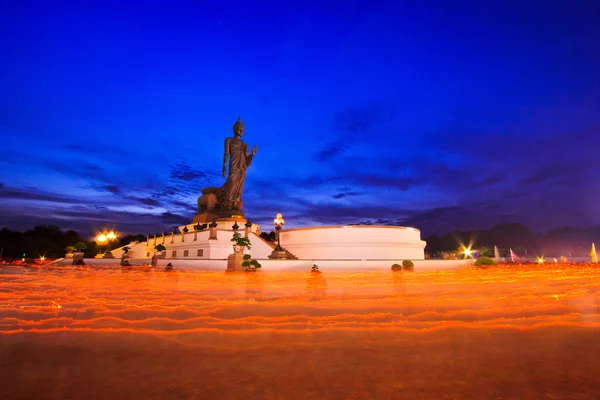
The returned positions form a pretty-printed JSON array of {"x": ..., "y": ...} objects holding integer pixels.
[{"x": 355, "y": 242}]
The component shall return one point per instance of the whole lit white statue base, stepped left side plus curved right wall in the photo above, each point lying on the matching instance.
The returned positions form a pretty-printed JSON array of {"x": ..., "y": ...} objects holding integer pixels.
[{"x": 355, "y": 242}]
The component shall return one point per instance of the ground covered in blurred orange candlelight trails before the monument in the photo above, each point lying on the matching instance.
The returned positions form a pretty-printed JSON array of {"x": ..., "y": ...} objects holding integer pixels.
[{"x": 520, "y": 332}]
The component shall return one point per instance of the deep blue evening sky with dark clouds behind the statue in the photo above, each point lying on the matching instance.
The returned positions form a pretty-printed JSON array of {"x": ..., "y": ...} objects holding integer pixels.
[{"x": 437, "y": 114}]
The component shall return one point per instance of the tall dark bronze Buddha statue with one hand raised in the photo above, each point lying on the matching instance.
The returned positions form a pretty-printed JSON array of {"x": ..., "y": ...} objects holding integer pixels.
[{"x": 226, "y": 201}]
